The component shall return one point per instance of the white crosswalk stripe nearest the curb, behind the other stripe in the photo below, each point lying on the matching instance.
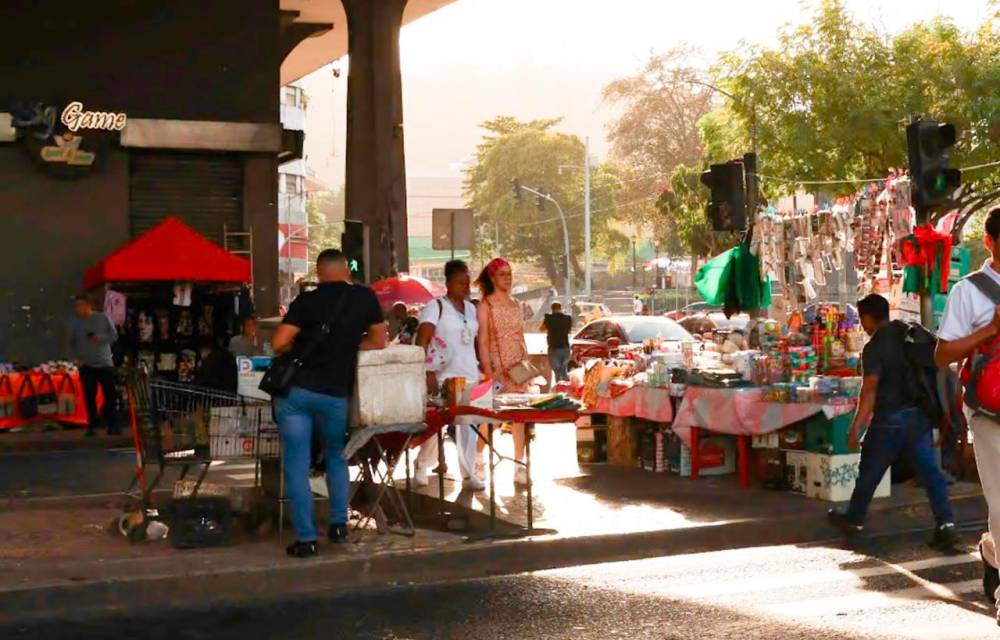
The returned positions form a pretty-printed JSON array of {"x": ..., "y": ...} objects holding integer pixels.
[{"x": 708, "y": 590}]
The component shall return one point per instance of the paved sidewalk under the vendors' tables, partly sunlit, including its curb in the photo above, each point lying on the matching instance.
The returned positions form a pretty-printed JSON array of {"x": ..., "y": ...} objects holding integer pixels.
[{"x": 65, "y": 561}]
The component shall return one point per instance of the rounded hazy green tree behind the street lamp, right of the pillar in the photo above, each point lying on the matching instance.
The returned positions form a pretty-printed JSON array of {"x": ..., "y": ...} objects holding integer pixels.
[{"x": 533, "y": 152}]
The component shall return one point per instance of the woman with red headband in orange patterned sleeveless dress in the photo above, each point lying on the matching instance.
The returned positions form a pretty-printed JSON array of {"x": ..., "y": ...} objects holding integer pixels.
[{"x": 501, "y": 340}]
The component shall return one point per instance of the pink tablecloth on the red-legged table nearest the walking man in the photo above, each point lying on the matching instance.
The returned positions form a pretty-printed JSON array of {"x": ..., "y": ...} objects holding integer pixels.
[{"x": 742, "y": 412}]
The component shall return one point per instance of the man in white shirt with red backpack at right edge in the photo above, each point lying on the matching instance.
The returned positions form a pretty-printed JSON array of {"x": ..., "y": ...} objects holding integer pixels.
[{"x": 970, "y": 331}]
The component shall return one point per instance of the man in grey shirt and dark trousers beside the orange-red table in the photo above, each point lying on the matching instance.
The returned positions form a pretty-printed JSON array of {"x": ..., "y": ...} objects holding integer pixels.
[{"x": 91, "y": 335}]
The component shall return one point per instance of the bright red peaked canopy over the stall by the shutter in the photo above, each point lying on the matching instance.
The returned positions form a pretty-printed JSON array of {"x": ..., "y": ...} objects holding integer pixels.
[{"x": 170, "y": 251}]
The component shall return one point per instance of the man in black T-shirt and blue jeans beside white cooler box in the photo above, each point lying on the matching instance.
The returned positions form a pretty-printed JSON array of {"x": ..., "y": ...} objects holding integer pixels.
[{"x": 339, "y": 319}]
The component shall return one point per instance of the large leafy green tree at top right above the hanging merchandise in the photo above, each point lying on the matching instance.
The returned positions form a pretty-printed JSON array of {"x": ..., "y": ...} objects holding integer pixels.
[{"x": 833, "y": 96}]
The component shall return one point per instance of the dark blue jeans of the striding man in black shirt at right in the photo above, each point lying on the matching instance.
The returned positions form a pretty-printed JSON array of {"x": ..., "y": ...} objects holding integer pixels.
[{"x": 907, "y": 433}]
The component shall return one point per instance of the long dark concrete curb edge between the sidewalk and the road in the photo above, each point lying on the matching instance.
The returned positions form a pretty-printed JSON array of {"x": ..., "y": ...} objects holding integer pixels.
[{"x": 191, "y": 585}]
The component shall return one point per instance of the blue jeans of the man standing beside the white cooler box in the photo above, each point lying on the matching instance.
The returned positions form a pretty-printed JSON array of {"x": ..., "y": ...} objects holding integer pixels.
[{"x": 298, "y": 413}]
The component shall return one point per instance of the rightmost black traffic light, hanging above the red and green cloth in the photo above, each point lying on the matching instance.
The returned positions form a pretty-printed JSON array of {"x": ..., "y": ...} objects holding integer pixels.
[{"x": 932, "y": 181}]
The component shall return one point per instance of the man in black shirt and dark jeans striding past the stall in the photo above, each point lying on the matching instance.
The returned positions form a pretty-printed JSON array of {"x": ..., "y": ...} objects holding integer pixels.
[{"x": 899, "y": 426}]
